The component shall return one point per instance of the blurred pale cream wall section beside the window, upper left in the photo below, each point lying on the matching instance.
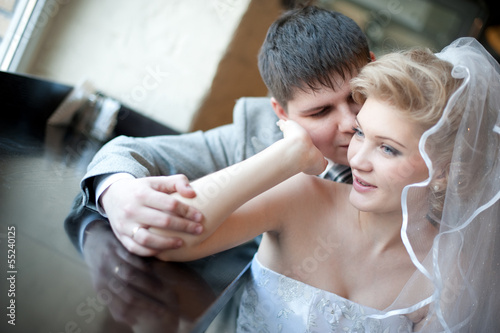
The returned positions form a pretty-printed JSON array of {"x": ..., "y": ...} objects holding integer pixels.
[{"x": 156, "y": 56}]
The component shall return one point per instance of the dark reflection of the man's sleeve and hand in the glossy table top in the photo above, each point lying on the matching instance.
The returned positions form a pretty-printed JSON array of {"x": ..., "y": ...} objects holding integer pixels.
[{"x": 150, "y": 295}]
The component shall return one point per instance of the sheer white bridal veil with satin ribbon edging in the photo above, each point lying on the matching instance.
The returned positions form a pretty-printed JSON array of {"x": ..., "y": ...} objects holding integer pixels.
[{"x": 456, "y": 246}]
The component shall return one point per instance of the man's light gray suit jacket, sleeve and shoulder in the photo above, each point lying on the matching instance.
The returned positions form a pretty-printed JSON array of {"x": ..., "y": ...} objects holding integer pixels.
[{"x": 194, "y": 154}]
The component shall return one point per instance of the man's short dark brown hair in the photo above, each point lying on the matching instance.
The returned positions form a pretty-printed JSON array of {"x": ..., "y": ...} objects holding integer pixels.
[{"x": 306, "y": 48}]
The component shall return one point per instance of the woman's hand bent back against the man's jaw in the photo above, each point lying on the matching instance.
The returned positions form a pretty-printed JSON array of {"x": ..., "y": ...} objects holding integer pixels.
[{"x": 310, "y": 158}]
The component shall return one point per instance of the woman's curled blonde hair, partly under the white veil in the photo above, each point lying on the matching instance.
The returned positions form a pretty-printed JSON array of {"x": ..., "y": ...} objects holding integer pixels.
[{"x": 419, "y": 84}]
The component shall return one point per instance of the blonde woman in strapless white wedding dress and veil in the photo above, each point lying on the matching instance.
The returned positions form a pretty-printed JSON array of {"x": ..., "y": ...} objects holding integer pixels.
[{"x": 410, "y": 246}]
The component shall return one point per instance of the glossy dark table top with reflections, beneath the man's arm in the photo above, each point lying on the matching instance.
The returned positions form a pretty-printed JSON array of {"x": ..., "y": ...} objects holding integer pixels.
[{"x": 64, "y": 270}]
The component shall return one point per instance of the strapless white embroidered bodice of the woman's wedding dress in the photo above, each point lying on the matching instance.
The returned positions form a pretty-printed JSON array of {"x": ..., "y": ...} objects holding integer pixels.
[{"x": 272, "y": 302}]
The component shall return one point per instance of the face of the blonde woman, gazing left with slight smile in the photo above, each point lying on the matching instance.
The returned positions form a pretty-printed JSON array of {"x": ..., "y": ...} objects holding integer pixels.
[{"x": 384, "y": 157}]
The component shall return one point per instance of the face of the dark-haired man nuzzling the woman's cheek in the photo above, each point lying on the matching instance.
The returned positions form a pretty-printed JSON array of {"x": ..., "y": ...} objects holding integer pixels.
[{"x": 328, "y": 116}]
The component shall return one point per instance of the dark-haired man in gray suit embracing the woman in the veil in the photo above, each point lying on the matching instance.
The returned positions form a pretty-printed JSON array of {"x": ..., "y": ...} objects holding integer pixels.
[{"x": 306, "y": 61}]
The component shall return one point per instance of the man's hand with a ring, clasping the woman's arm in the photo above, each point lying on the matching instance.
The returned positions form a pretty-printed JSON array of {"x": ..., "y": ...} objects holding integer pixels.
[{"x": 135, "y": 205}]
